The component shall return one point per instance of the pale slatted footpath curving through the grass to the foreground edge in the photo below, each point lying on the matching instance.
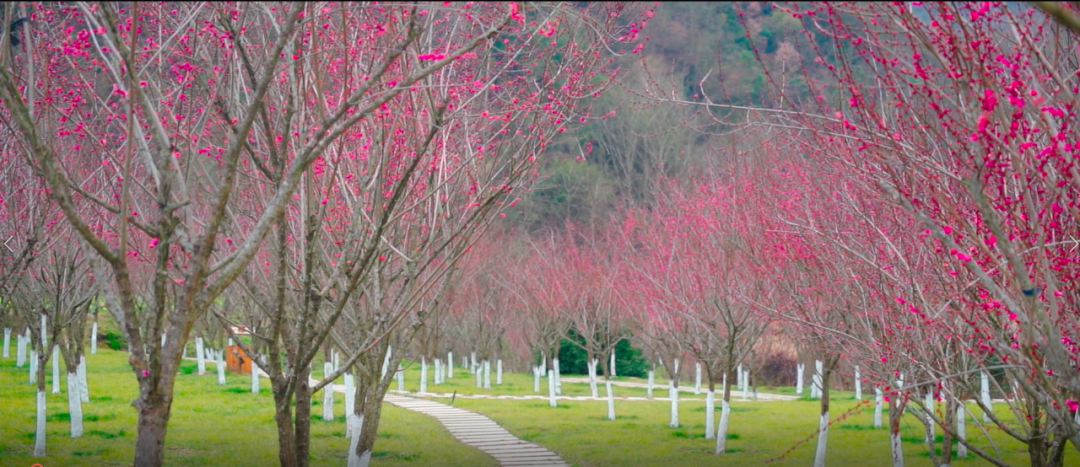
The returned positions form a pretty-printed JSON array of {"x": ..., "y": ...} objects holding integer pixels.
[{"x": 482, "y": 433}]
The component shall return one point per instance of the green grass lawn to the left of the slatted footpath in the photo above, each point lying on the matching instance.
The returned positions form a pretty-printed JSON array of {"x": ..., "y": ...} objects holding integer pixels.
[{"x": 211, "y": 425}]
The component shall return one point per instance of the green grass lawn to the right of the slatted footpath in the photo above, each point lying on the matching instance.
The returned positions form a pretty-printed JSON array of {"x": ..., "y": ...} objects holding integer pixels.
[{"x": 579, "y": 432}]
